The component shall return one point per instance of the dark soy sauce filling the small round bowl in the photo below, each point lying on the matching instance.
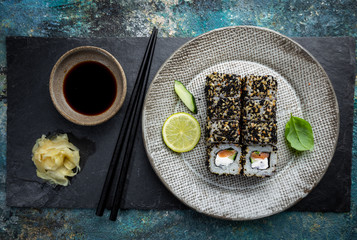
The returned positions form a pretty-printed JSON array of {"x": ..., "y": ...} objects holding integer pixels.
[{"x": 90, "y": 88}]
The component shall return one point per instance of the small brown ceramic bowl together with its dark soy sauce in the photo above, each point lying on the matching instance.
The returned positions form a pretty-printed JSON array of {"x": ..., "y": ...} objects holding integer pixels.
[{"x": 87, "y": 85}]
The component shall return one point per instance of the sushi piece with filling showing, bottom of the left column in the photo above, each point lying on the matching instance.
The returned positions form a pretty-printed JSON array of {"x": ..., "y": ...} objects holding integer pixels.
[{"x": 224, "y": 159}]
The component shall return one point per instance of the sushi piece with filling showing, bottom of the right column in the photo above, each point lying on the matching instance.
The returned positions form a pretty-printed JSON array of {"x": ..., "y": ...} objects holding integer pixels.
[{"x": 259, "y": 161}]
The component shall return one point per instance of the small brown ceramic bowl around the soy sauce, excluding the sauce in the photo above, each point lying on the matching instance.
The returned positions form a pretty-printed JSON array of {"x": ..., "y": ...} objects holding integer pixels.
[{"x": 66, "y": 63}]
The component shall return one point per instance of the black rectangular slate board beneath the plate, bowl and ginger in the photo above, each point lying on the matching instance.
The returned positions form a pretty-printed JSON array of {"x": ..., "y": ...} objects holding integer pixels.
[{"x": 31, "y": 114}]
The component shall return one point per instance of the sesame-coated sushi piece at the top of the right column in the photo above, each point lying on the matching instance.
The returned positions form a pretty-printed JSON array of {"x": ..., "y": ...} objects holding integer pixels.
[{"x": 259, "y": 87}]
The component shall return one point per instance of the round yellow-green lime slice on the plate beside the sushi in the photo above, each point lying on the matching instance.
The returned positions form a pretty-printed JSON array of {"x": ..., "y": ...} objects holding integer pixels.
[{"x": 181, "y": 132}]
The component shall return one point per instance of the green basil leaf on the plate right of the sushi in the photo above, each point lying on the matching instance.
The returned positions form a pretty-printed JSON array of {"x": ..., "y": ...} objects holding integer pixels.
[{"x": 298, "y": 132}]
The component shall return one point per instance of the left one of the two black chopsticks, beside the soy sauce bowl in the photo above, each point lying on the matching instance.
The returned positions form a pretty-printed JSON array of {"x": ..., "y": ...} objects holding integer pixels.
[{"x": 124, "y": 129}]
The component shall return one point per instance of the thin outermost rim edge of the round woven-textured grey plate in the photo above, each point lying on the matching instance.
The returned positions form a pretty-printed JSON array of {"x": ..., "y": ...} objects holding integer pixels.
[{"x": 292, "y": 203}]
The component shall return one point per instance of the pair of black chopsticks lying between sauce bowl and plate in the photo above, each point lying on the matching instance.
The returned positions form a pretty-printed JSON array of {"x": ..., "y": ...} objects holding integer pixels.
[{"x": 123, "y": 149}]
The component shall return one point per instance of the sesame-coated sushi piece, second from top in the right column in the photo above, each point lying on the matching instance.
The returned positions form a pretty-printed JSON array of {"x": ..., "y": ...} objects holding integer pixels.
[{"x": 259, "y": 109}]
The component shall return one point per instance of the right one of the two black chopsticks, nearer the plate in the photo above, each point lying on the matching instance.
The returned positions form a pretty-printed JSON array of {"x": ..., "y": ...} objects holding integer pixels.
[{"x": 128, "y": 152}]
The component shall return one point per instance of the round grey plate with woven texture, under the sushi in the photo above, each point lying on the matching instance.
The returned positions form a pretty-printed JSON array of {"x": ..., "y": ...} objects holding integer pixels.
[{"x": 304, "y": 90}]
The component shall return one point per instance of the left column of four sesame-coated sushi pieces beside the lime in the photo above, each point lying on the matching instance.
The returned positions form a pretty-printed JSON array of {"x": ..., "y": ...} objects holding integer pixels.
[{"x": 223, "y": 95}]
